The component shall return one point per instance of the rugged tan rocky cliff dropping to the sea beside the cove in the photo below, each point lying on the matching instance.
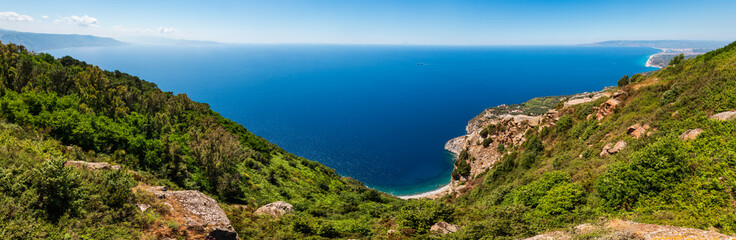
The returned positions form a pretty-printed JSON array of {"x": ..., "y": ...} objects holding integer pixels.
[{"x": 496, "y": 130}]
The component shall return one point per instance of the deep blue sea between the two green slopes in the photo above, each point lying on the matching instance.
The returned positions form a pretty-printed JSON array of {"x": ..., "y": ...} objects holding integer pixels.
[{"x": 371, "y": 112}]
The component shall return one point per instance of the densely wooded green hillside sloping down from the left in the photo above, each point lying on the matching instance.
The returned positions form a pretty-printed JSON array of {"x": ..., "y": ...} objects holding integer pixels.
[{"x": 54, "y": 111}]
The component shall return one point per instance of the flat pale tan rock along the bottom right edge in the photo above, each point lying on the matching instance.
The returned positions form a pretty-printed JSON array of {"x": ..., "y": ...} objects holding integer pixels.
[{"x": 618, "y": 229}]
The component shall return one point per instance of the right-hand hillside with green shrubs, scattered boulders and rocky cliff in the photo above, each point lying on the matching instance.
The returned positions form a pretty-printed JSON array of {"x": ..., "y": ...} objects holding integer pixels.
[{"x": 657, "y": 149}]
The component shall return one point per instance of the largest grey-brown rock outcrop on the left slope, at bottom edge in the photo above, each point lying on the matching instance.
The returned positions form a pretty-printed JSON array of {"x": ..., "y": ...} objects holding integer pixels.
[{"x": 198, "y": 211}]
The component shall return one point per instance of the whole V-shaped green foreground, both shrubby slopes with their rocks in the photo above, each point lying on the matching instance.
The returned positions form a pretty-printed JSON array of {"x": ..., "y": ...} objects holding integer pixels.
[{"x": 93, "y": 154}]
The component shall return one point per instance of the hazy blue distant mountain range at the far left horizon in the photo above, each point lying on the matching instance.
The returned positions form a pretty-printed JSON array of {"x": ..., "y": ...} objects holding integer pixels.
[{"x": 47, "y": 41}]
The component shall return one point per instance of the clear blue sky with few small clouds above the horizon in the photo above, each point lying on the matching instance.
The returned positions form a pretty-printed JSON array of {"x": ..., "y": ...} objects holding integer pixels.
[{"x": 425, "y": 22}]
